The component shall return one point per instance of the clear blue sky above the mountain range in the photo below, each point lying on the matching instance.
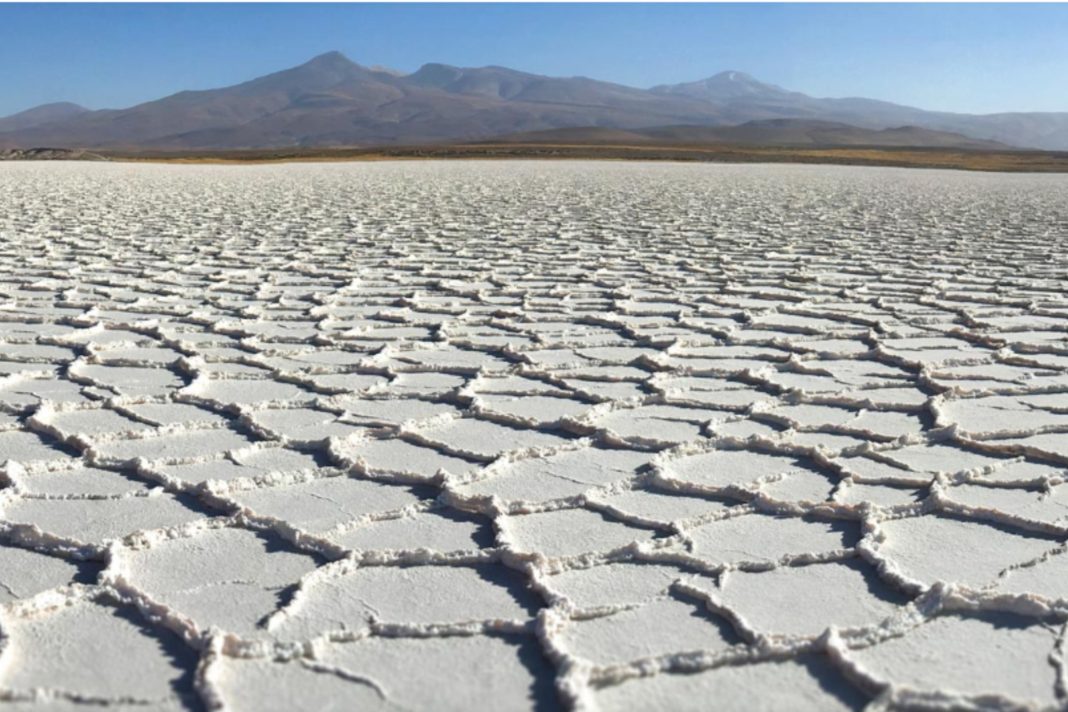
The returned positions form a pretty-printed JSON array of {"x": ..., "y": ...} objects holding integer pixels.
[{"x": 975, "y": 58}]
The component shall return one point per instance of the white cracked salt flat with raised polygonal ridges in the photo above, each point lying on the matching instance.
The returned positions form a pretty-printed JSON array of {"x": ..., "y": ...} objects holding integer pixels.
[{"x": 522, "y": 435}]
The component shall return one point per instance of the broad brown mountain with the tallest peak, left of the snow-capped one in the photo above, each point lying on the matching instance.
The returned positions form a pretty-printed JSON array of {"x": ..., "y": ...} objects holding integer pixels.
[{"x": 332, "y": 101}]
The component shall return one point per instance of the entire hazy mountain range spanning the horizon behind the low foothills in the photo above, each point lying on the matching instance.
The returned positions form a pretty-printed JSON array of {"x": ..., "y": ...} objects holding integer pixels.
[{"x": 333, "y": 102}]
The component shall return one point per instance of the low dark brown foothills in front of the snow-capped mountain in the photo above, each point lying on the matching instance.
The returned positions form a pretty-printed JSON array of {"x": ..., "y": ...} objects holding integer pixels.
[{"x": 792, "y": 133}]
